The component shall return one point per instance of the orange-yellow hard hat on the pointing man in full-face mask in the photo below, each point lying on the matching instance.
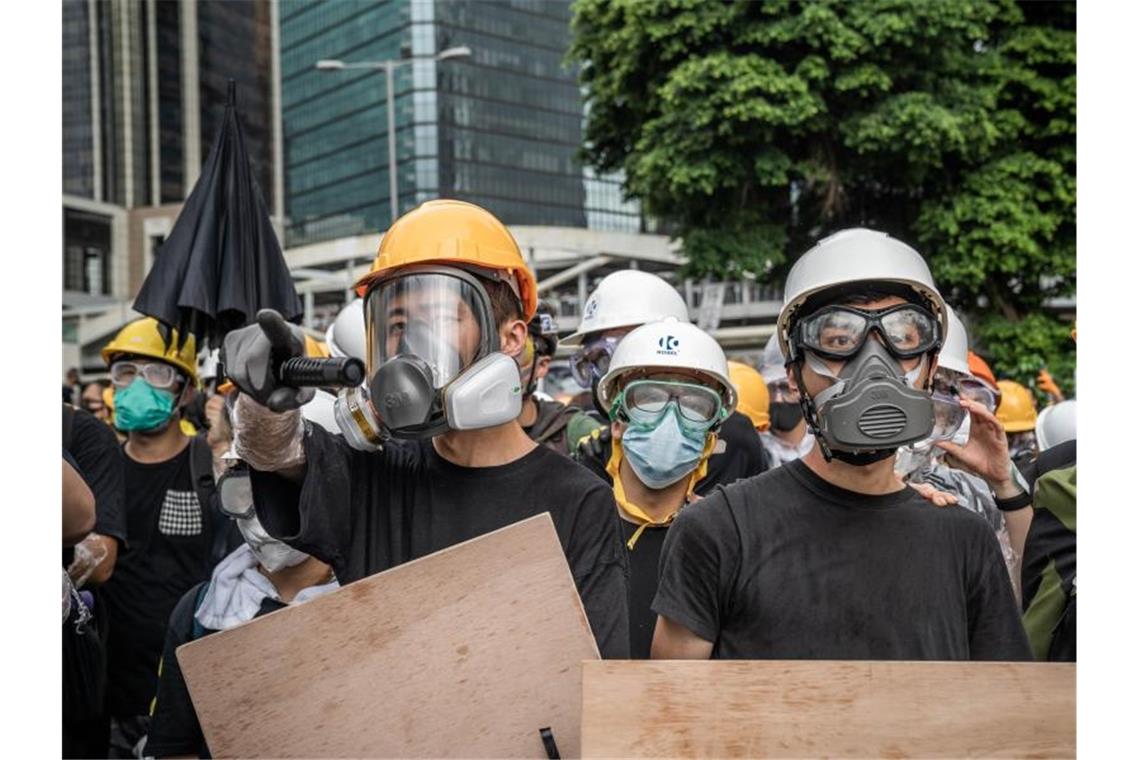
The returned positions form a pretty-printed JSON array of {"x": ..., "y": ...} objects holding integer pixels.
[{"x": 454, "y": 233}]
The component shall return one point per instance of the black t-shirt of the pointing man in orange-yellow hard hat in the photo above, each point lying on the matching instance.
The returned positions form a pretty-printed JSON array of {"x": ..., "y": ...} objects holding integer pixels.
[{"x": 364, "y": 513}]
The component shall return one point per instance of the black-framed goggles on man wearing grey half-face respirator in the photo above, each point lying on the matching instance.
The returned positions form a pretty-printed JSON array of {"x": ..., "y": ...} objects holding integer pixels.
[{"x": 838, "y": 332}]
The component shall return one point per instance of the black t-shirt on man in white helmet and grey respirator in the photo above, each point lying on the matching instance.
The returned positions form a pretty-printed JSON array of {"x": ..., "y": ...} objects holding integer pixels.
[{"x": 789, "y": 567}]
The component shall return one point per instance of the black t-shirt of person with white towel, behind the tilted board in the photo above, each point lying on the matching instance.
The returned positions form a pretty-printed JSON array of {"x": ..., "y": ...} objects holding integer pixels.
[{"x": 175, "y": 728}]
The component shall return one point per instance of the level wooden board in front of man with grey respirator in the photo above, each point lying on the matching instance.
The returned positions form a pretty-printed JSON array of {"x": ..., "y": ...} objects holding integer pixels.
[{"x": 828, "y": 709}]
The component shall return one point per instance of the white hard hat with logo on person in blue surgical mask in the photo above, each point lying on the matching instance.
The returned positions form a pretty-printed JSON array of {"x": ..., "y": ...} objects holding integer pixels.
[{"x": 669, "y": 345}]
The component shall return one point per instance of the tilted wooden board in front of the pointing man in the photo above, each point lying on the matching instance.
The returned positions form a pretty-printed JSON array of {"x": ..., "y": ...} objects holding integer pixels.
[{"x": 467, "y": 652}]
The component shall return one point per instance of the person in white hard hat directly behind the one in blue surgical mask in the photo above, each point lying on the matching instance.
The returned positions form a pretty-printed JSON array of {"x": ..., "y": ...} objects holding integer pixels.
[{"x": 621, "y": 303}]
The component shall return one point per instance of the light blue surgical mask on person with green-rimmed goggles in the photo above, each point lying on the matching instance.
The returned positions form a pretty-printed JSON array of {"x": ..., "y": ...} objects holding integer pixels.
[{"x": 665, "y": 453}]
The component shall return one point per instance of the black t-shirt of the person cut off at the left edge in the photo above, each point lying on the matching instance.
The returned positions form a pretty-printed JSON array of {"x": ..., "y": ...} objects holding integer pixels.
[{"x": 100, "y": 460}]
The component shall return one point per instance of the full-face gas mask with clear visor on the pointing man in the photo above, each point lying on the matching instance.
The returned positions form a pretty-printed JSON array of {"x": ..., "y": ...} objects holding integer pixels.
[{"x": 434, "y": 359}]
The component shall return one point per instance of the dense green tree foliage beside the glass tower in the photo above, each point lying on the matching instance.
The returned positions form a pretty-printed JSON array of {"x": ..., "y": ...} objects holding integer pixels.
[{"x": 755, "y": 128}]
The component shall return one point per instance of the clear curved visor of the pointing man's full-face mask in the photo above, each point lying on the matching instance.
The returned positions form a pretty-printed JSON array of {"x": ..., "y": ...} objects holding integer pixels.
[{"x": 439, "y": 315}]
